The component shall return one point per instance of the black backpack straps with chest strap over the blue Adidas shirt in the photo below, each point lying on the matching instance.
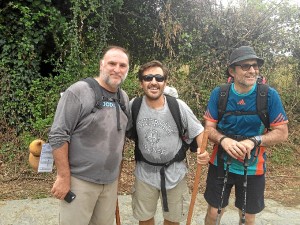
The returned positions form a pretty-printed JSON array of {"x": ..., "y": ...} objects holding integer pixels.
[{"x": 261, "y": 102}]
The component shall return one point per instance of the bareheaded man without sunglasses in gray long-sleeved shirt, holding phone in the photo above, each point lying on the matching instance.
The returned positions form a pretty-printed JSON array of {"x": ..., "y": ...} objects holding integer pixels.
[{"x": 87, "y": 144}]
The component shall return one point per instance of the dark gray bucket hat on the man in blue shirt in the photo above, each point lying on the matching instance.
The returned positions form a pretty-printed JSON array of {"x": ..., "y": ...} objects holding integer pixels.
[{"x": 244, "y": 53}]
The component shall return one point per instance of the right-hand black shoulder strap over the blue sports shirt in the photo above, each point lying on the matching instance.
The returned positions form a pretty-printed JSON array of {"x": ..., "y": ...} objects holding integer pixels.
[{"x": 262, "y": 103}]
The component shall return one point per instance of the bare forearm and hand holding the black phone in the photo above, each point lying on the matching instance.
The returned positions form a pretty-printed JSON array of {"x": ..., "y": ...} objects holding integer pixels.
[{"x": 63, "y": 179}]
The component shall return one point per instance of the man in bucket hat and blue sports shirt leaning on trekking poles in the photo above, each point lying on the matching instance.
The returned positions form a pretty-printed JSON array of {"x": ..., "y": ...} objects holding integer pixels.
[{"x": 238, "y": 157}]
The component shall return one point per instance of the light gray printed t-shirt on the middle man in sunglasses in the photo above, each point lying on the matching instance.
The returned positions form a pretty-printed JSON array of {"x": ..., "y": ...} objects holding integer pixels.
[{"x": 159, "y": 141}]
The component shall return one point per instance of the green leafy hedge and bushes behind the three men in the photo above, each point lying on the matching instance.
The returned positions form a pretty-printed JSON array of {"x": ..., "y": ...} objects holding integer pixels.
[{"x": 46, "y": 46}]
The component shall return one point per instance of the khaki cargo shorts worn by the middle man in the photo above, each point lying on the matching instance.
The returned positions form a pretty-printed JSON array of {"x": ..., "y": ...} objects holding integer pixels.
[{"x": 145, "y": 197}]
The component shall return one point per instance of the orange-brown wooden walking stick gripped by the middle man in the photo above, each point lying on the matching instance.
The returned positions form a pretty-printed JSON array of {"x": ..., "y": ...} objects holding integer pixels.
[{"x": 197, "y": 178}]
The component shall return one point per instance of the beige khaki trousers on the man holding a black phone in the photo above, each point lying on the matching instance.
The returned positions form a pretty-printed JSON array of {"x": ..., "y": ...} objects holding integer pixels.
[{"x": 94, "y": 204}]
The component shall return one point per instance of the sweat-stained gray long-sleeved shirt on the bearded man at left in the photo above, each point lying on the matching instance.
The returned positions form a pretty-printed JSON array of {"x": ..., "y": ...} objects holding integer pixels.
[{"x": 95, "y": 144}]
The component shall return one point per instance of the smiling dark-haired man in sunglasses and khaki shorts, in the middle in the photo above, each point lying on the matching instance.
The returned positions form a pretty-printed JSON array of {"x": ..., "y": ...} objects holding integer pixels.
[{"x": 158, "y": 142}]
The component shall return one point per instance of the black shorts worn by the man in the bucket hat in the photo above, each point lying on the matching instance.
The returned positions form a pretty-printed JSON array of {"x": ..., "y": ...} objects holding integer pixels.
[{"x": 255, "y": 190}]
